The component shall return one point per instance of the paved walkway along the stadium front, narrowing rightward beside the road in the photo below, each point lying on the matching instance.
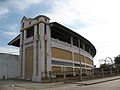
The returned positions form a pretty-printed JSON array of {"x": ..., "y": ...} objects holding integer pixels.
[{"x": 28, "y": 85}]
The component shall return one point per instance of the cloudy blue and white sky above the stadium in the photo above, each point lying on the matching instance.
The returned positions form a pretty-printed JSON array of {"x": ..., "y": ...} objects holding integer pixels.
[{"x": 96, "y": 20}]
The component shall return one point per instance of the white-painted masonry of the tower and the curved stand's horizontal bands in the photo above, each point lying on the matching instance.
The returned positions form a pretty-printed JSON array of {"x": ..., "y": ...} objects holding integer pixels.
[{"x": 42, "y": 44}]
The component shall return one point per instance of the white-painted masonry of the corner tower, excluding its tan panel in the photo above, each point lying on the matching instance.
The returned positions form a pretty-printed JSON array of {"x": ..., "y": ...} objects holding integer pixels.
[{"x": 38, "y": 42}]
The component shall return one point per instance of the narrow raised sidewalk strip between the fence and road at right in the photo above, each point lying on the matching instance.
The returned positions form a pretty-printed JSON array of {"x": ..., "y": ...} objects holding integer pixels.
[{"x": 96, "y": 81}]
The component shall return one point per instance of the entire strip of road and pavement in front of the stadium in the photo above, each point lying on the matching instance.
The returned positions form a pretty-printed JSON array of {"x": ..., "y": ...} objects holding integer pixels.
[{"x": 21, "y": 85}]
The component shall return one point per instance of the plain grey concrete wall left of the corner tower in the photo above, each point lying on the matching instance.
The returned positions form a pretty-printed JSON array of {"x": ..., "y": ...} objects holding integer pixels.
[{"x": 9, "y": 66}]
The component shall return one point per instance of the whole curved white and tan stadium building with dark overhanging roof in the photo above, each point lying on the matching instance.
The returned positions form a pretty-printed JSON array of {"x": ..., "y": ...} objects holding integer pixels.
[{"x": 52, "y": 50}]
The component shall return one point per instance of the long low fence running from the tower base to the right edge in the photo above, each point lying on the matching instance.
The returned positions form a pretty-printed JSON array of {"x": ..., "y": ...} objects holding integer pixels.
[{"x": 73, "y": 76}]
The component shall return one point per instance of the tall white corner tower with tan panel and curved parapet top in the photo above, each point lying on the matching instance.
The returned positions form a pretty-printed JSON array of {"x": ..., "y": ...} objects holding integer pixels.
[{"x": 35, "y": 50}]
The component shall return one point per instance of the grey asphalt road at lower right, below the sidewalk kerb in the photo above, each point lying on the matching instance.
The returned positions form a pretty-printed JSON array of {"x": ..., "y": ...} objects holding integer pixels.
[{"x": 111, "y": 85}]
